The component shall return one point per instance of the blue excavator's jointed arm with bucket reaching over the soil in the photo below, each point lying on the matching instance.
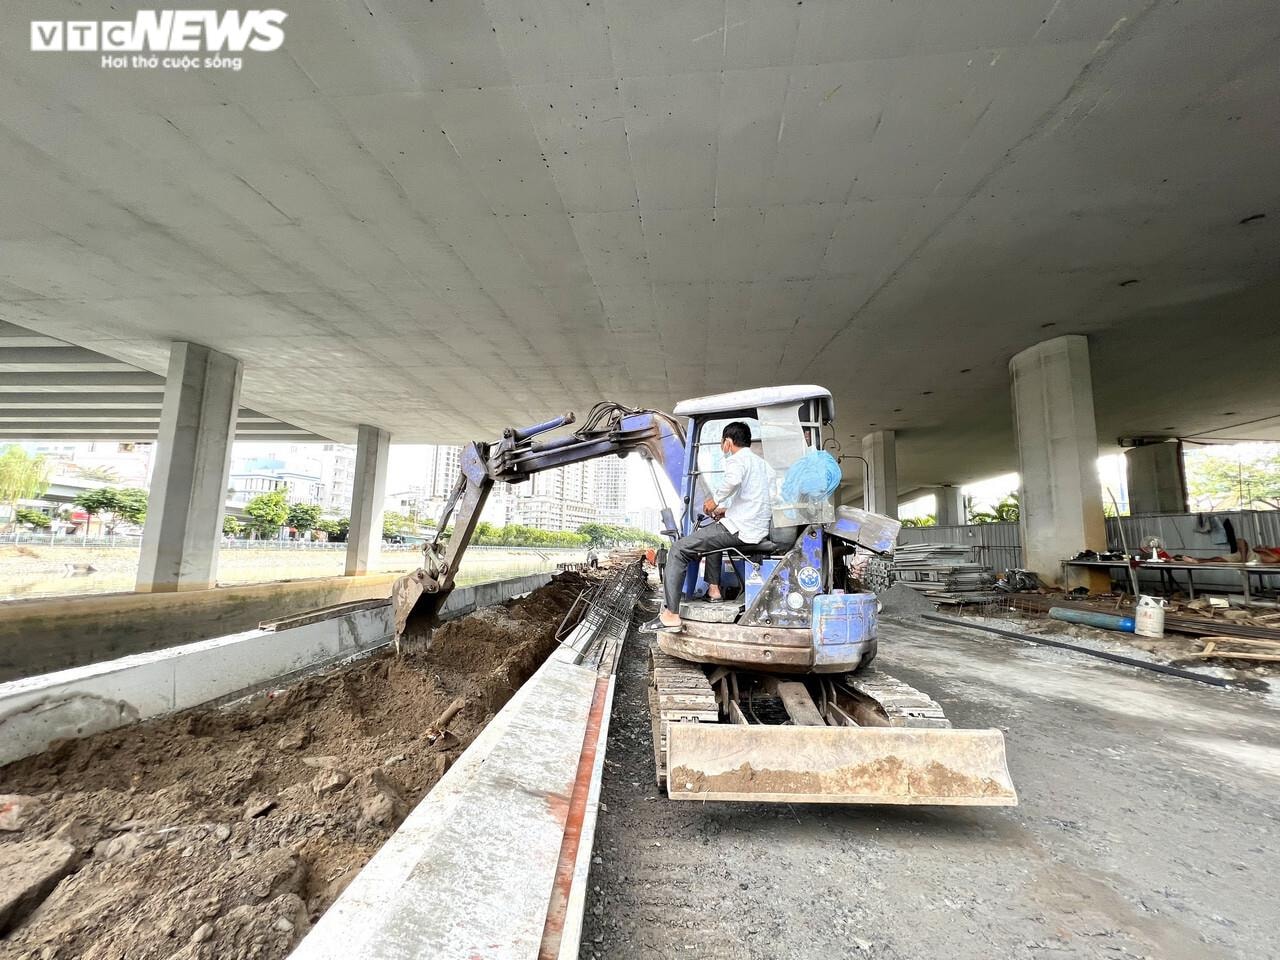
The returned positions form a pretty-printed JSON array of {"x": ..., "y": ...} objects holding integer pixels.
[{"x": 610, "y": 429}]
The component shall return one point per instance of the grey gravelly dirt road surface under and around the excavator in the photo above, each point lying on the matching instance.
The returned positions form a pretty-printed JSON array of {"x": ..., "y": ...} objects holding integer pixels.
[{"x": 1148, "y": 829}]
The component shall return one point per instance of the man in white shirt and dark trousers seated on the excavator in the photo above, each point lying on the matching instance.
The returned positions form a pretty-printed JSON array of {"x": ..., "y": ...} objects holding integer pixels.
[{"x": 742, "y": 510}]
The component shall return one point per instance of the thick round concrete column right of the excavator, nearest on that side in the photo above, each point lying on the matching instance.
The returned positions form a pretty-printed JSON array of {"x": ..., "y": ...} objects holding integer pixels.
[{"x": 1058, "y": 454}]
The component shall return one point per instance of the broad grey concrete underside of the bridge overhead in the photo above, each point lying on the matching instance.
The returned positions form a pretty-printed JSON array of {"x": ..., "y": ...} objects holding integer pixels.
[{"x": 438, "y": 218}]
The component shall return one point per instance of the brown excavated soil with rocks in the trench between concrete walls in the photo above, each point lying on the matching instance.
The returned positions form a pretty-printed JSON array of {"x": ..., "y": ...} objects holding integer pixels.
[{"x": 227, "y": 833}]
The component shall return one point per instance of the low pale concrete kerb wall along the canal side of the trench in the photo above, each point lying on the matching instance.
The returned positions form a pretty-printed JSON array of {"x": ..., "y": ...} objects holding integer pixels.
[{"x": 74, "y": 703}]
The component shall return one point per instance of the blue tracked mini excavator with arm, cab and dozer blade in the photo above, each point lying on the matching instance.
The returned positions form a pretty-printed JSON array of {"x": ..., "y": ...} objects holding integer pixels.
[{"x": 771, "y": 696}]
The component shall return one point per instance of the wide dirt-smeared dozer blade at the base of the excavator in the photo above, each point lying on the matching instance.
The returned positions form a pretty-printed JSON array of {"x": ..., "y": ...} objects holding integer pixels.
[{"x": 838, "y": 765}]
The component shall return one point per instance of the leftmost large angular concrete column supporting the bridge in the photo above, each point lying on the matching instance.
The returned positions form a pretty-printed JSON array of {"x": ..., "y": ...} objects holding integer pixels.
[{"x": 189, "y": 487}]
